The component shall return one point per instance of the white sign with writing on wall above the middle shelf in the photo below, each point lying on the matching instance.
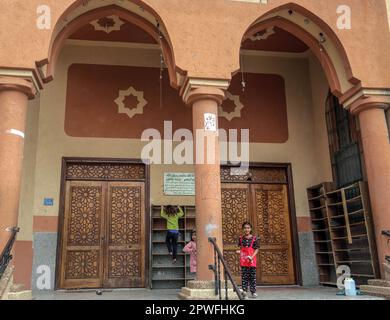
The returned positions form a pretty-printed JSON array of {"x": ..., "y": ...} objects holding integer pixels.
[{"x": 179, "y": 184}]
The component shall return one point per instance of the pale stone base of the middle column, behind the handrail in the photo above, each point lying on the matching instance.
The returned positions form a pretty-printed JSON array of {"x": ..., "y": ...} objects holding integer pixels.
[{"x": 205, "y": 290}]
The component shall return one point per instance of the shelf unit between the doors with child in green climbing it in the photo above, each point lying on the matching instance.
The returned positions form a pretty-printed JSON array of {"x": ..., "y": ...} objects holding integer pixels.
[{"x": 164, "y": 274}]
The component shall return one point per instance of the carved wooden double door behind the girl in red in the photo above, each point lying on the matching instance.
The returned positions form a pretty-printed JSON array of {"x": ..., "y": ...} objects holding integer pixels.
[{"x": 266, "y": 207}]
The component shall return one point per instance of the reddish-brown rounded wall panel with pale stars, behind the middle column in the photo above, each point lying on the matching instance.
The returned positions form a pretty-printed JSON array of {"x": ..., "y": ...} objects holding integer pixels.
[{"x": 91, "y": 110}]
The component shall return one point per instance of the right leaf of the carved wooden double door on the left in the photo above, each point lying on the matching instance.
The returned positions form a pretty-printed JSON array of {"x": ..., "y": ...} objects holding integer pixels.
[{"x": 124, "y": 252}]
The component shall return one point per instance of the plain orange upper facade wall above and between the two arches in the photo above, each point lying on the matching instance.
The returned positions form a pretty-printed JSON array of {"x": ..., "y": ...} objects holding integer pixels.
[{"x": 201, "y": 30}]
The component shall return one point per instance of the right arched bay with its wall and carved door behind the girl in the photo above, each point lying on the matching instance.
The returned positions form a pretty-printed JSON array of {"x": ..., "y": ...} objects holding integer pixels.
[{"x": 306, "y": 60}]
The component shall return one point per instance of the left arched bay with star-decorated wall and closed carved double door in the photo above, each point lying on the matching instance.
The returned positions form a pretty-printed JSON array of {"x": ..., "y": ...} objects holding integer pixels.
[{"x": 112, "y": 75}]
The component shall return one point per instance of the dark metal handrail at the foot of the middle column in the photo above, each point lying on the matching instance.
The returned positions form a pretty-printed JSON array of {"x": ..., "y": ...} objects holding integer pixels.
[{"x": 218, "y": 259}]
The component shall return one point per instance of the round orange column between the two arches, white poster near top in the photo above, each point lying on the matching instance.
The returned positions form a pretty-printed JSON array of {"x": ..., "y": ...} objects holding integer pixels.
[{"x": 205, "y": 102}]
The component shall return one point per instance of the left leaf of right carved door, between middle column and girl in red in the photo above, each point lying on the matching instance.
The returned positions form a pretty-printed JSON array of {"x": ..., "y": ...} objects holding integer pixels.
[{"x": 235, "y": 210}]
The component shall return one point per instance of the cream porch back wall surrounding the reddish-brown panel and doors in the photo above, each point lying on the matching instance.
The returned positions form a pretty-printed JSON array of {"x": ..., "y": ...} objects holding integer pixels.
[{"x": 306, "y": 134}]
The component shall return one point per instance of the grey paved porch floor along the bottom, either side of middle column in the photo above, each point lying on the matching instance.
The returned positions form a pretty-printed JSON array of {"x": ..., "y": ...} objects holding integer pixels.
[{"x": 265, "y": 293}]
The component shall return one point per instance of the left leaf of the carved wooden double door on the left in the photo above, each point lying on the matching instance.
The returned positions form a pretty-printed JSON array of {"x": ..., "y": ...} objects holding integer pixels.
[{"x": 81, "y": 261}]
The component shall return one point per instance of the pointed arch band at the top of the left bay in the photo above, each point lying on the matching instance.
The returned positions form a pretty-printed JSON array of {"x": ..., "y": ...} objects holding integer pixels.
[{"x": 140, "y": 15}]
